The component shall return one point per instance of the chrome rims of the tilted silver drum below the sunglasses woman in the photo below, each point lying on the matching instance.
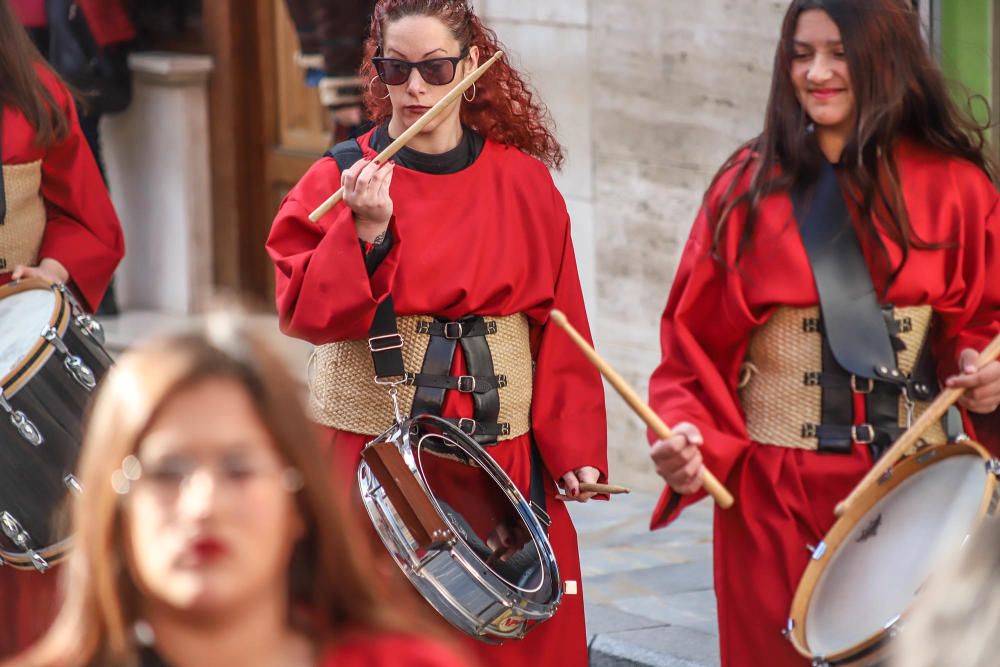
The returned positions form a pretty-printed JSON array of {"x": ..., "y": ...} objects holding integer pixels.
[{"x": 532, "y": 611}]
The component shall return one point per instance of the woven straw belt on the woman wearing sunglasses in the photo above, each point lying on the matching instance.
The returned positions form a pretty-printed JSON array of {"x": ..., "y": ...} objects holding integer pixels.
[{"x": 344, "y": 395}]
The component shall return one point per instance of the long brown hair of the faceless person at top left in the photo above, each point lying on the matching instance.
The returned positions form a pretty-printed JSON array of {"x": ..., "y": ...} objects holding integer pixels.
[{"x": 20, "y": 86}]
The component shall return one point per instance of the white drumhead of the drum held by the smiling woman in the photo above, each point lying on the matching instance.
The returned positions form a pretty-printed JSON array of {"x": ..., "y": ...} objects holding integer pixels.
[{"x": 872, "y": 578}]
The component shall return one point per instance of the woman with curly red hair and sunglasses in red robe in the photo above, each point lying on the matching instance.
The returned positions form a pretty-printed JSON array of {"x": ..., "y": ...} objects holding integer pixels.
[{"x": 467, "y": 234}]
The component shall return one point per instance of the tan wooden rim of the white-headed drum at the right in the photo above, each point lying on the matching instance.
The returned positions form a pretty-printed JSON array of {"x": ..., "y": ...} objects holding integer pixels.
[{"x": 834, "y": 538}]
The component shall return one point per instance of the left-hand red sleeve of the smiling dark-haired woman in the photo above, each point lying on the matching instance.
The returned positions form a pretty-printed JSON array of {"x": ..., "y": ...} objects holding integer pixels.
[{"x": 704, "y": 333}]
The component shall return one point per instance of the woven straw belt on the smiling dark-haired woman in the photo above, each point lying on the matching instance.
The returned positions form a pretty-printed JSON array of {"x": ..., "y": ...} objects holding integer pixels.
[{"x": 775, "y": 398}]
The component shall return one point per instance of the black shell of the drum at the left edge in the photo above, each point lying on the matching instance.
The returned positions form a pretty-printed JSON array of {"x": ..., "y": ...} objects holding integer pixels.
[{"x": 33, "y": 478}]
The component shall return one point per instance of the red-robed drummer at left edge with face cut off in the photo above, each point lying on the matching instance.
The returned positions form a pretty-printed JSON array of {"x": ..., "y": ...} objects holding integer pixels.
[{"x": 56, "y": 223}]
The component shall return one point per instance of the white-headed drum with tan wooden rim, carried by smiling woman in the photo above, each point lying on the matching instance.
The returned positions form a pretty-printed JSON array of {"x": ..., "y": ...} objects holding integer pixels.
[{"x": 866, "y": 572}]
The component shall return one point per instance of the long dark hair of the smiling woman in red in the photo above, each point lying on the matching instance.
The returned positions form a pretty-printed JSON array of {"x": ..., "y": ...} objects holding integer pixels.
[{"x": 899, "y": 92}]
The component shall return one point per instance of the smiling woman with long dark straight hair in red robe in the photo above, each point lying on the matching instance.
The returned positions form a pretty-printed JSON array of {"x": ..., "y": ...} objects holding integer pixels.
[{"x": 755, "y": 380}]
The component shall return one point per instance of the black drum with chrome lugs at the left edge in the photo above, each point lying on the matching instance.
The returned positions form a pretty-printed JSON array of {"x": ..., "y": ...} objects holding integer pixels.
[{"x": 51, "y": 359}]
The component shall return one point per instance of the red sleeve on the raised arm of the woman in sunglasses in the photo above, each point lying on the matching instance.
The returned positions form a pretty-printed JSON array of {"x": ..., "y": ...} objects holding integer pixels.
[{"x": 322, "y": 287}]
